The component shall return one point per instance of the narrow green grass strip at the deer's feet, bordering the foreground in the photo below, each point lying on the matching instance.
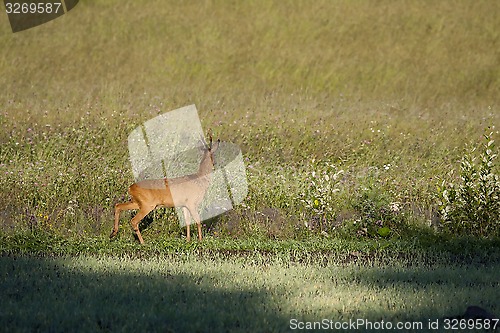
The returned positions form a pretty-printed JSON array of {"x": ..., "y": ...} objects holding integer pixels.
[{"x": 422, "y": 247}]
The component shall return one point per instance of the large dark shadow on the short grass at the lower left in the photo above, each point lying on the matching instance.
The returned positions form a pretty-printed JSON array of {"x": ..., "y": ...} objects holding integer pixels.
[{"x": 57, "y": 295}]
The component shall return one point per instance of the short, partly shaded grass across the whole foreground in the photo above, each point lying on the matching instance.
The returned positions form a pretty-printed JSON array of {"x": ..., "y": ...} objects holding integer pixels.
[{"x": 181, "y": 294}]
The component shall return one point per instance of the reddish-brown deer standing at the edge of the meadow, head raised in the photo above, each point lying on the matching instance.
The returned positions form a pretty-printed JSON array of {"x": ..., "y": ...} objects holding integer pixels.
[{"x": 189, "y": 190}]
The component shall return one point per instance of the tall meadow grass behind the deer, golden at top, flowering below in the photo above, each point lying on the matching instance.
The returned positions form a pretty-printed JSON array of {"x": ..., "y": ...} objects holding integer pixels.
[{"x": 388, "y": 92}]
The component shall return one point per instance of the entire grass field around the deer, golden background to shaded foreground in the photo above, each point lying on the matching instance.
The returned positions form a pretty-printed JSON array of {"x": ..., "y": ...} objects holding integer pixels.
[{"x": 350, "y": 115}]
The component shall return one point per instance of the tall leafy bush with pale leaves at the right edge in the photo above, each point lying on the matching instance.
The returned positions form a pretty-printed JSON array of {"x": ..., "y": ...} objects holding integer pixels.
[{"x": 471, "y": 204}]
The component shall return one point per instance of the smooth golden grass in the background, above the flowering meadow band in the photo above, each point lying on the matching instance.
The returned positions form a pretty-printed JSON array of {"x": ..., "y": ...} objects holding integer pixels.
[{"x": 221, "y": 51}]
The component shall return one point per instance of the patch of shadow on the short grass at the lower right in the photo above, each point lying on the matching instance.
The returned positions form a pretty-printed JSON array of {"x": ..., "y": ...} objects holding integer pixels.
[{"x": 443, "y": 298}]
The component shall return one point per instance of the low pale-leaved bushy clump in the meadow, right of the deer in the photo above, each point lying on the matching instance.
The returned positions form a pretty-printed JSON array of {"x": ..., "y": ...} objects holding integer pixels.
[{"x": 332, "y": 200}]
